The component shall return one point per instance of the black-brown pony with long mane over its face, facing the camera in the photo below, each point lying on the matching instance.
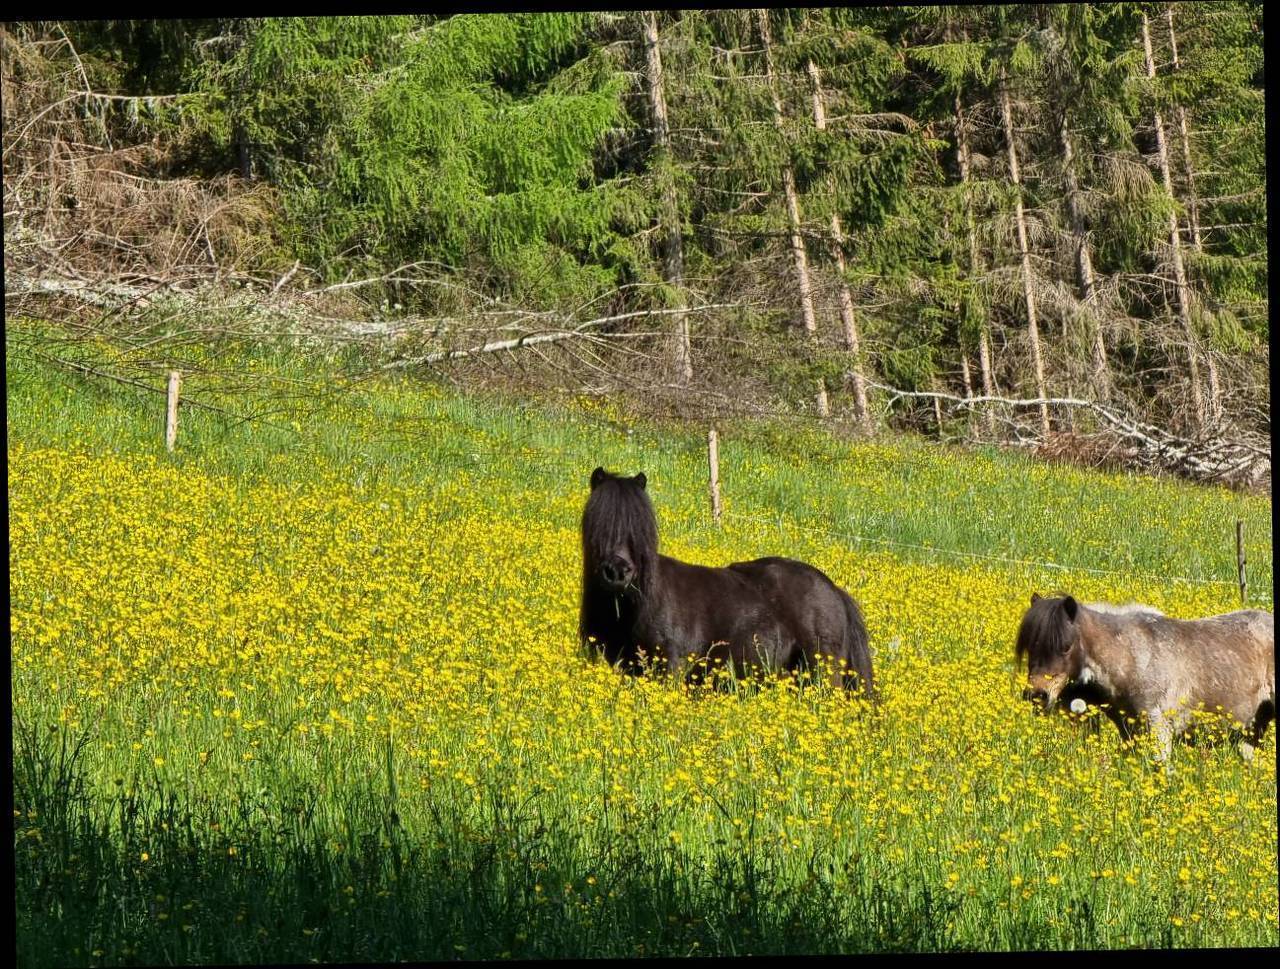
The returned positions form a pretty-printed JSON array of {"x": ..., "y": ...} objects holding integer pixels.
[{"x": 644, "y": 609}]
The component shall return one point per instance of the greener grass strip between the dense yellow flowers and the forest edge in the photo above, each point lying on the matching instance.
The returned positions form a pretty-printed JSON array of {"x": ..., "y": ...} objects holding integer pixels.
[{"x": 956, "y": 504}]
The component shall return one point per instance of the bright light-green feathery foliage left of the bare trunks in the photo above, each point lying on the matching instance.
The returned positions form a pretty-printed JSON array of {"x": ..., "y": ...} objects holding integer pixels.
[{"x": 454, "y": 141}]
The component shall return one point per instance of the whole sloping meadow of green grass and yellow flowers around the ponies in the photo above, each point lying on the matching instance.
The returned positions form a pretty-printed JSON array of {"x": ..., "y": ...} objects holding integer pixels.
[{"x": 309, "y": 689}]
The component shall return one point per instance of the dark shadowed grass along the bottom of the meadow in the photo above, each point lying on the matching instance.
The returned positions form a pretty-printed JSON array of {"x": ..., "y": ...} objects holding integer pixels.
[{"x": 144, "y": 879}]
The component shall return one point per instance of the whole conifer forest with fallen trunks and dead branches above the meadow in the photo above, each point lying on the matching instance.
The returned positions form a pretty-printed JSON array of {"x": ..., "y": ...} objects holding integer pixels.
[{"x": 1040, "y": 225}]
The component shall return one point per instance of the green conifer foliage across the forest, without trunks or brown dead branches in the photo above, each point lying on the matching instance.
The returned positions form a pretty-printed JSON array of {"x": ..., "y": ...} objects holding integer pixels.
[{"x": 516, "y": 154}]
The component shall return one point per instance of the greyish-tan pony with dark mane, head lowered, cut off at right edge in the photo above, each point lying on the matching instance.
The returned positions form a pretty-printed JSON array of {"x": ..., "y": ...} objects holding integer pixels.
[{"x": 1148, "y": 670}]
